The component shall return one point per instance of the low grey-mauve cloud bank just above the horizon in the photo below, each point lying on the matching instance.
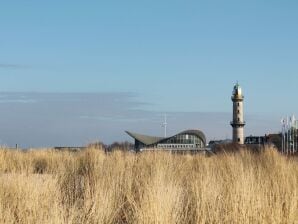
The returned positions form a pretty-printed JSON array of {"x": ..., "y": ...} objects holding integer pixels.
[{"x": 76, "y": 119}]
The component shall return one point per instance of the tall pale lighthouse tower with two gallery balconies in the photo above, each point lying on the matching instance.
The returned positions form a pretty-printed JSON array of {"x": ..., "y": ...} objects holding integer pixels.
[{"x": 238, "y": 122}]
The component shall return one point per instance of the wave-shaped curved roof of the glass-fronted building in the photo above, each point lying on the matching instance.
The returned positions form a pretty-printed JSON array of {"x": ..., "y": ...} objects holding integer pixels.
[{"x": 150, "y": 140}]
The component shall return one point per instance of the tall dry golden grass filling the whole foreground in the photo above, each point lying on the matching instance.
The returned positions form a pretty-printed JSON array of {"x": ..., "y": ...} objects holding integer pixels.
[{"x": 92, "y": 187}]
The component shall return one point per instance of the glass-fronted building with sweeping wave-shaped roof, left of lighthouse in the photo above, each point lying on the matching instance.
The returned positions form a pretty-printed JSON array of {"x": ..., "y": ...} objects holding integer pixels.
[{"x": 186, "y": 140}]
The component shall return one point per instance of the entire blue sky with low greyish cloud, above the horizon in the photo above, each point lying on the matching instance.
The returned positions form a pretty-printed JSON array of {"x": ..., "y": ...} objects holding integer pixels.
[{"x": 72, "y": 72}]
